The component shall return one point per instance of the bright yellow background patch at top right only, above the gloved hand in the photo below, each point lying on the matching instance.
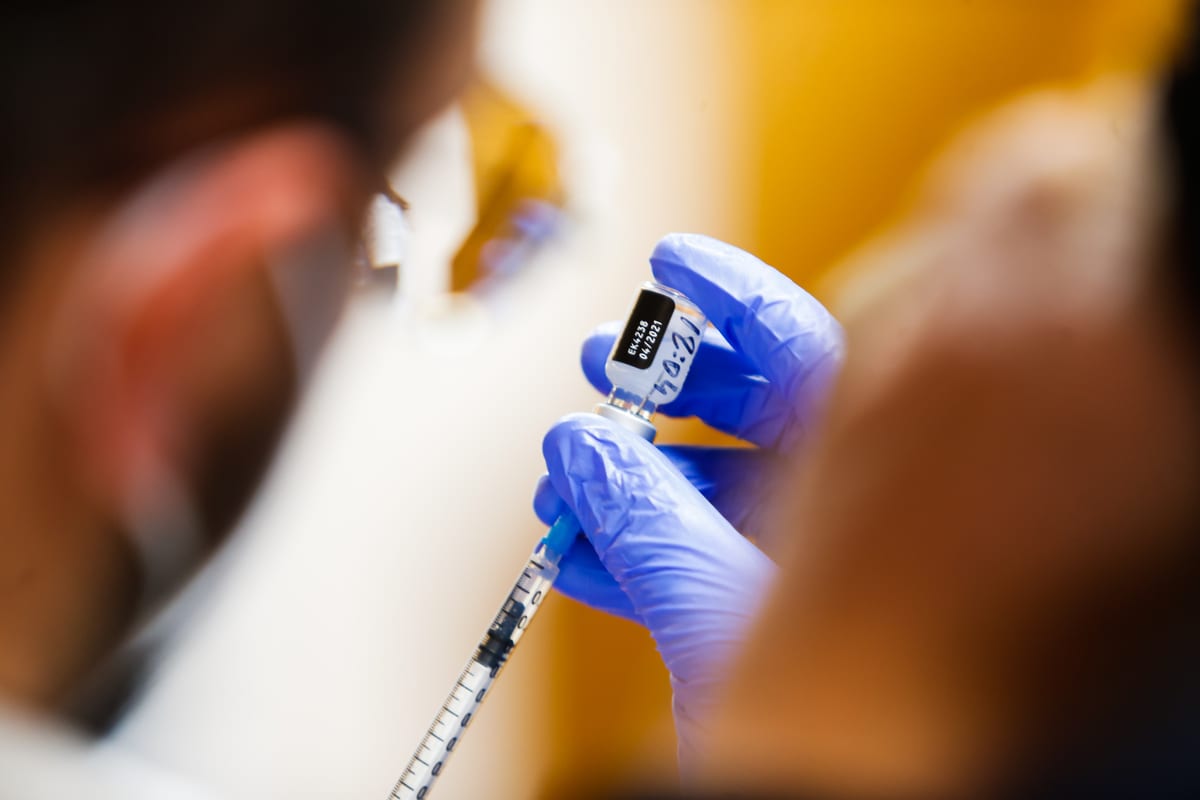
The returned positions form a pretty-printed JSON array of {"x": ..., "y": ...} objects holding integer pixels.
[{"x": 851, "y": 98}]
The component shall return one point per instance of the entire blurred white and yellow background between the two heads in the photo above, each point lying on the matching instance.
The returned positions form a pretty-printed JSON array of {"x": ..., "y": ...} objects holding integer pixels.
[{"x": 400, "y": 512}]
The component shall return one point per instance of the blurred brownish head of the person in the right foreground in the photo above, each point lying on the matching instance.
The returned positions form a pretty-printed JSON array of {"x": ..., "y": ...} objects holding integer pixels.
[{"x": 997, "y": 574}]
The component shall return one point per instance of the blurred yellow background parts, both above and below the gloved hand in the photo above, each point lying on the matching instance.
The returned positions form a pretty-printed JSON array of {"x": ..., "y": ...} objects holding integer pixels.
[{"x": 843, "y": 105}]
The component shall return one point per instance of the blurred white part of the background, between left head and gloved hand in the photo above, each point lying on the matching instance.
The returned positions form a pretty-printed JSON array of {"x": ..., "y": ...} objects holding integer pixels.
[{"x": 328, "y": 634}]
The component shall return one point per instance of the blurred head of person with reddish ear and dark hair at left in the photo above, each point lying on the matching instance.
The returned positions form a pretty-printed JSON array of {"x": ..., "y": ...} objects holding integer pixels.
[{"x": 181, "y": 185}]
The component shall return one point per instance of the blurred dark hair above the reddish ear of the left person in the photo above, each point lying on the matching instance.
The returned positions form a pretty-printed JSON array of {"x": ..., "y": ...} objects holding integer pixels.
[{"x": 95, "y": 94}]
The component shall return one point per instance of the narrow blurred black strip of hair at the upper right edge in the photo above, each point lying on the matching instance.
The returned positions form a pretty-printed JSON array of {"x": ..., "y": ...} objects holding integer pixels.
[{"x": 1183, "y": 136}]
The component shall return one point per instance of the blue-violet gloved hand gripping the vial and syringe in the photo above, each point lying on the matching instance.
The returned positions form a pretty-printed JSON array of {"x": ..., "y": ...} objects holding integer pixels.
[{"x": 663, "y": 545}]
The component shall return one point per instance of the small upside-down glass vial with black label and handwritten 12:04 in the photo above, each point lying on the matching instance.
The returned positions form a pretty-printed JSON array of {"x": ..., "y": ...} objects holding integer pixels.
[{"x": 652, "y": 358}]
